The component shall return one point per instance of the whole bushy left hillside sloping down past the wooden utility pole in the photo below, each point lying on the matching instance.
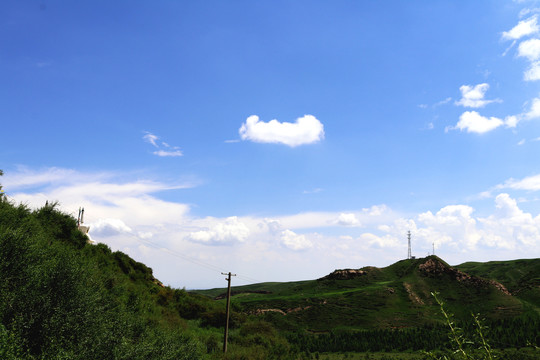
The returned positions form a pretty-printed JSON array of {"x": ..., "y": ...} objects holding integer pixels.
[{"x": 62, "y": 298}]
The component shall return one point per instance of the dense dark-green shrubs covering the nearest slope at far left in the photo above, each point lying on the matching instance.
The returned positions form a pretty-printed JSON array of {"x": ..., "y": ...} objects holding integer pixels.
[{"x": 54, "y": 302}]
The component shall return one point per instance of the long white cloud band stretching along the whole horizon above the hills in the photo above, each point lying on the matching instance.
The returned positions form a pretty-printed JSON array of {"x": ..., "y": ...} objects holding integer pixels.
[{"x": 128, "y": 217}]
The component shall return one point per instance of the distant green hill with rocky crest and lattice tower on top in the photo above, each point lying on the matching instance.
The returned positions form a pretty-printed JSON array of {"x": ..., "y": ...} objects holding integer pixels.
[{"x": 397, "y": 296}]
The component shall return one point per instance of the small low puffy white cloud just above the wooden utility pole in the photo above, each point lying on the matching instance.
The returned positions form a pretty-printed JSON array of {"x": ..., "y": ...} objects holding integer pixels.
[{"x": 229, "y": 231}]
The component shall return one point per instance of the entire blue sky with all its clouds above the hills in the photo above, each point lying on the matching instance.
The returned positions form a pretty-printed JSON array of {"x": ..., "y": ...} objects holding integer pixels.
[{"x": 279, "y": 140}]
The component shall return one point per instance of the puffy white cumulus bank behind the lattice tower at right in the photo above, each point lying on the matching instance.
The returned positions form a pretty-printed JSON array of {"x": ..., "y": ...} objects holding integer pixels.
[{"x": 455, "y": 228}]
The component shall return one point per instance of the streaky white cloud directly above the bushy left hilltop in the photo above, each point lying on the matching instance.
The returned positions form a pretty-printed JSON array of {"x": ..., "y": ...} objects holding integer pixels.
[{"x": 103, "y": 195}]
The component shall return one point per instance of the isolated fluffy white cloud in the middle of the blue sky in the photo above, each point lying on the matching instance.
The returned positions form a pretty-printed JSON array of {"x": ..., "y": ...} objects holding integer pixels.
[{"x": 306, "y": 130}]
